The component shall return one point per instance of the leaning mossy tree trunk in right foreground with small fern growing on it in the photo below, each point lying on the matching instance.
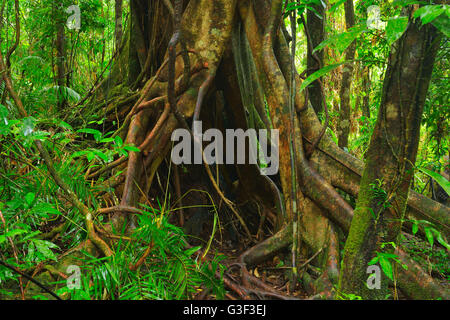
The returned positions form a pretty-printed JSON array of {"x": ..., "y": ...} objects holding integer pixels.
[{"x": 389, "y": 168}]
